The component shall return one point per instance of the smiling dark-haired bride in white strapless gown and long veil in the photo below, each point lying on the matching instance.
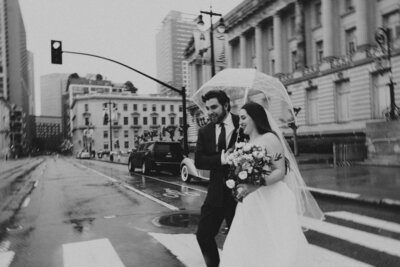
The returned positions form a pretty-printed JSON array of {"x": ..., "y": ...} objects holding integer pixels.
[{"x": 266, "y": 230}]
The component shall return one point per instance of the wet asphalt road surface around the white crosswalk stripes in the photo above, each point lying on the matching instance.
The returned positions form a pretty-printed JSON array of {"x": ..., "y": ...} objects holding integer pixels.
[{"x": 82, "y": 200}]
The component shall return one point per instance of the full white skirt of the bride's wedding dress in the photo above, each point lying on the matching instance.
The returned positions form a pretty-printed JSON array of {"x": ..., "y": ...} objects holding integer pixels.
[{"x": 266, "y": 231}]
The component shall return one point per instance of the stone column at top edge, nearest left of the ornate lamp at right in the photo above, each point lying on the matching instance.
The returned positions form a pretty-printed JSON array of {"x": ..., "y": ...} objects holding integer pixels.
[{"x": 362, "y": 23}]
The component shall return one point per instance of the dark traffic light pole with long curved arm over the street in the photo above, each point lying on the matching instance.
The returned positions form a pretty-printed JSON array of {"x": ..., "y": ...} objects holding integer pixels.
[{"x": 180, "y": 92}]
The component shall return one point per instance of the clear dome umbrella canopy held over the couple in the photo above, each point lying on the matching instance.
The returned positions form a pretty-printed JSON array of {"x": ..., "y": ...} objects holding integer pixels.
[{"x": 243, "y": 85}]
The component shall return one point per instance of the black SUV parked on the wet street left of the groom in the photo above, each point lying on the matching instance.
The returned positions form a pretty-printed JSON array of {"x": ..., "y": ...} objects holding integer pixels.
[{"x": 157, "y": 156}]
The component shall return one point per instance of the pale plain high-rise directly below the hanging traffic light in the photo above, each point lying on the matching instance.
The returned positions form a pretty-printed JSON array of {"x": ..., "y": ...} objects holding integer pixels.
[{"x": 51, "y": 90}]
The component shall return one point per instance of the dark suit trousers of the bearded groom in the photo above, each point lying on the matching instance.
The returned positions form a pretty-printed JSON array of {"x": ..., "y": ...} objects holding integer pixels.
[{"x": 210, "y": 222}]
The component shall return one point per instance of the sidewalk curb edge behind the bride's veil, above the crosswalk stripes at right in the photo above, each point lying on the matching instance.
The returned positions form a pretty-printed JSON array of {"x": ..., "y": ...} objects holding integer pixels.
[{"x": 387, "y": 202}]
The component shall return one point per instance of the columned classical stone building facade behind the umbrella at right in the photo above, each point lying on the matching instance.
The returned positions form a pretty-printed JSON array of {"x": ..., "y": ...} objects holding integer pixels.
[{"x": 326, "y": 55}]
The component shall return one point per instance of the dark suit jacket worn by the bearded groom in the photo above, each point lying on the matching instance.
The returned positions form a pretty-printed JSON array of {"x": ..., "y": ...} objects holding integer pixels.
[{"x": 208, "y": 158}]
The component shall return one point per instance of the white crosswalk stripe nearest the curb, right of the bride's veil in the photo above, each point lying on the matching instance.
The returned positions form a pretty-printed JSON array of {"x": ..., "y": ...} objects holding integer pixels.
[{"x": 365, "y": 220}]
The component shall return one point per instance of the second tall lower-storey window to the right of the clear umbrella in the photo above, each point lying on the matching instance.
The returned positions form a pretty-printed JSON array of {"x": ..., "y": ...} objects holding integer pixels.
[{"x": 343, "y": 101}]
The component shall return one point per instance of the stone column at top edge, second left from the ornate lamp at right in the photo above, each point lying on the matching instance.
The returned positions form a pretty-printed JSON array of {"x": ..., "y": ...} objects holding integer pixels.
[{"x": 327, "y": 24}]
